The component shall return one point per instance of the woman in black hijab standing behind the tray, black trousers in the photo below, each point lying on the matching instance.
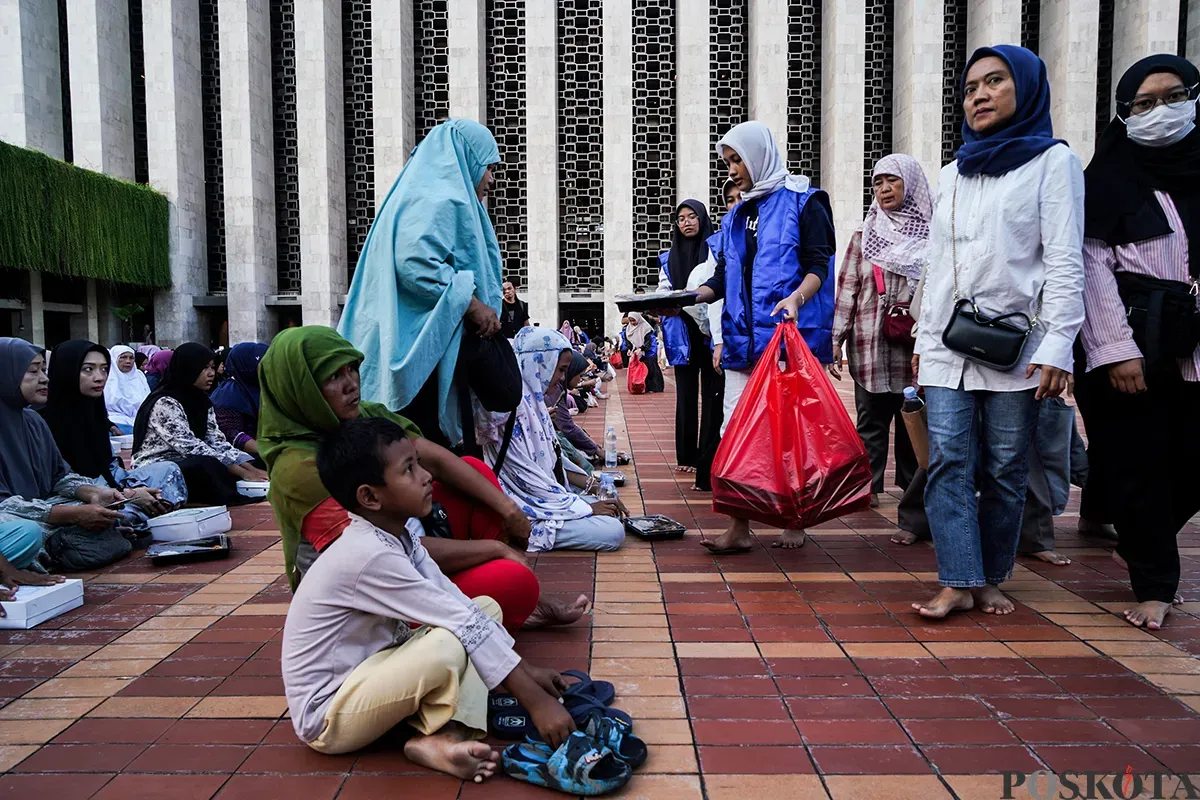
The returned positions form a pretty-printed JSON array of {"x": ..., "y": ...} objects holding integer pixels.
[{"x": 687, "y": 339}]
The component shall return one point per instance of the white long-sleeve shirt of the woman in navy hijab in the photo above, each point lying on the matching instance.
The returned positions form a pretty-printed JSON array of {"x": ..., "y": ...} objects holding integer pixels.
[{"x": 1018, "y": 234}]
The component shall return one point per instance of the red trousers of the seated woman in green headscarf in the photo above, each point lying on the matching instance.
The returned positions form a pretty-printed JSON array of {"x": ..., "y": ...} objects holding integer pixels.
[{"x": 514, "y": 587}]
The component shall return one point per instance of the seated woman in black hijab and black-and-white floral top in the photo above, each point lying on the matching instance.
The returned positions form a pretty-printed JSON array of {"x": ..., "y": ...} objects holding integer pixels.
[{"x": 178, "y": 424}]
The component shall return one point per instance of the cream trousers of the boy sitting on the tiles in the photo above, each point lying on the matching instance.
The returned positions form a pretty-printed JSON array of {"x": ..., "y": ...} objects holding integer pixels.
[{"x": 428, "y": 681}]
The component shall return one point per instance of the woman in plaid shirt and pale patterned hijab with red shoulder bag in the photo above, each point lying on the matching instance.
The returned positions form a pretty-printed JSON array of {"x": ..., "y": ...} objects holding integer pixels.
[{"x": 883, "y": 266}]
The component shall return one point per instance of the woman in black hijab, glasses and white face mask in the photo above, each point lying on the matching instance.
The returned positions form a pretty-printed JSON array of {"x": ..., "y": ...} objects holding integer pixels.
[{"x": 1139, "y": 392}]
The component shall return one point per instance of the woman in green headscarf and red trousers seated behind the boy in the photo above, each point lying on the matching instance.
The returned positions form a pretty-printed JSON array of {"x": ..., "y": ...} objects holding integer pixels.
[{"x": 310, "y": 384}]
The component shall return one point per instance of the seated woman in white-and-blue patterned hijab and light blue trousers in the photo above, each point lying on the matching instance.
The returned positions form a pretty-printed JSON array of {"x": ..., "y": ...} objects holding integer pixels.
[{"x": 533, "y": 473}]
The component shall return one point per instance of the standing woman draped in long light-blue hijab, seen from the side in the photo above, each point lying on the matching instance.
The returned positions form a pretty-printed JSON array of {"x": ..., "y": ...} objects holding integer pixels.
[{"x": 429, "y": 276}]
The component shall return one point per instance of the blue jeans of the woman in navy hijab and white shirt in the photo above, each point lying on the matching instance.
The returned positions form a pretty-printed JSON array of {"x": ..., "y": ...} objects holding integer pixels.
[{"x": 979, "y": 442}]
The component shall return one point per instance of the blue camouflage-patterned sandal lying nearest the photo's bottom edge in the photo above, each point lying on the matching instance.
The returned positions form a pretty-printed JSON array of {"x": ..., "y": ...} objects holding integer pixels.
[{"x": 580, "y": 767}]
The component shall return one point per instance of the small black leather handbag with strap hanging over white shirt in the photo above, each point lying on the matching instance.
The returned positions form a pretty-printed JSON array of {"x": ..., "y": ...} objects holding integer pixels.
[{"x": 994, "y": 342}]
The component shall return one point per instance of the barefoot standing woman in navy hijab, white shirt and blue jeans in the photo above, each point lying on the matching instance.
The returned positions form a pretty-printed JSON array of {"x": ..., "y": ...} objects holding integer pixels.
[{"x": 1007, "y": 239}]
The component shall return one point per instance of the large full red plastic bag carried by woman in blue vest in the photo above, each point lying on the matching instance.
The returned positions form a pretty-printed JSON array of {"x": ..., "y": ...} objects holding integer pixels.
[{"x": 790, "y": 456}]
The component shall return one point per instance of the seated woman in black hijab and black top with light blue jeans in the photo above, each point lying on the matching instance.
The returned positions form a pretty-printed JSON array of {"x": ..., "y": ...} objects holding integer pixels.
[{"x": 79, "y": 419}]
